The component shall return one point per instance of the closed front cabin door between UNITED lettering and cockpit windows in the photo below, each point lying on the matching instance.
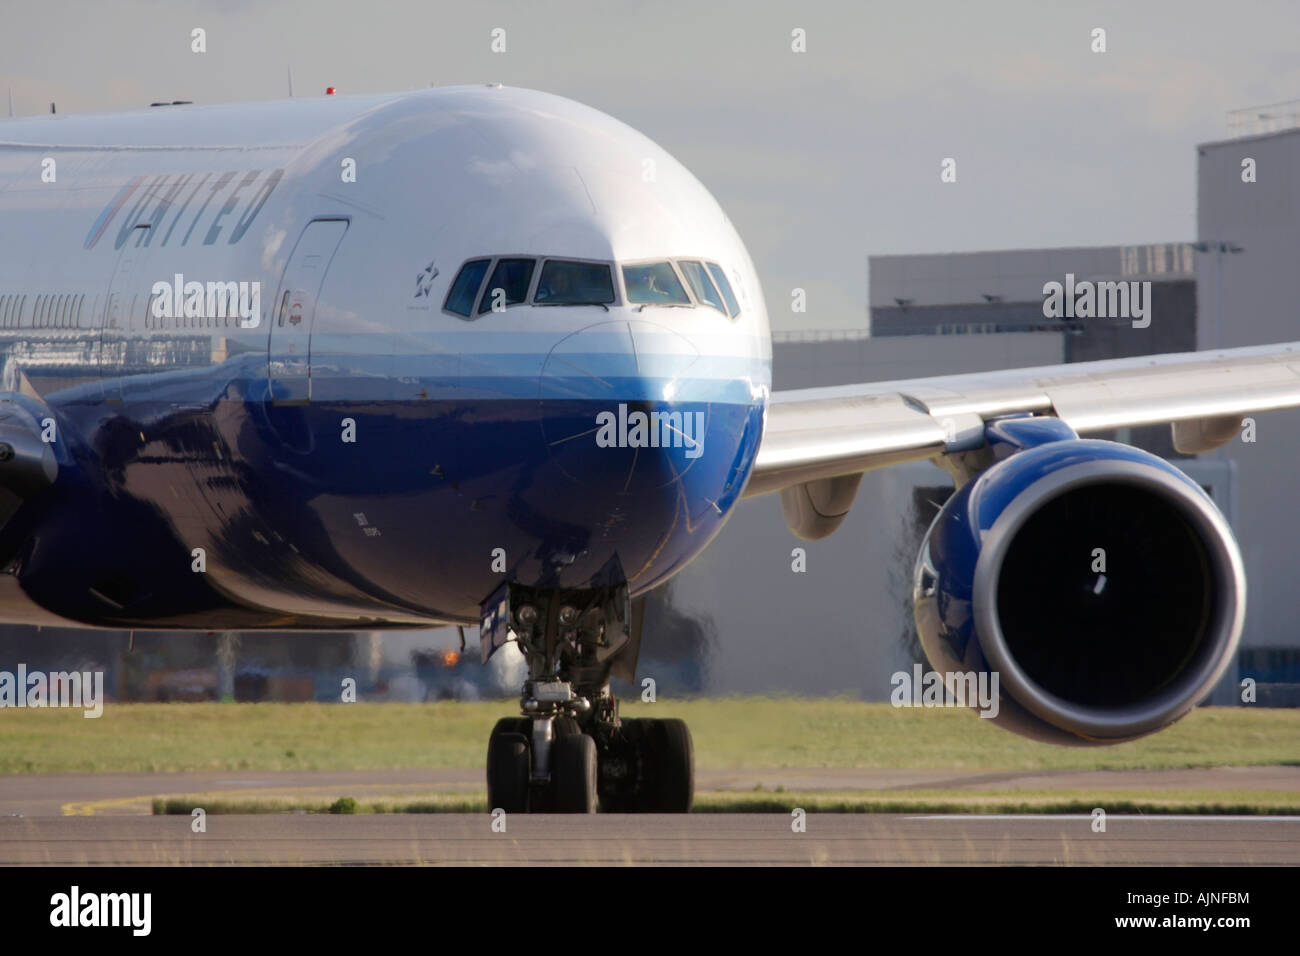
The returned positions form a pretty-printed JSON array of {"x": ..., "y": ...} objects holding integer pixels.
[{"x": 294, "y": 312}]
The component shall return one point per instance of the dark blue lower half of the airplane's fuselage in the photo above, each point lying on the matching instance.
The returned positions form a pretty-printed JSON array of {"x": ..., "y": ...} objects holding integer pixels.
[{"x": 375, "y": 511}]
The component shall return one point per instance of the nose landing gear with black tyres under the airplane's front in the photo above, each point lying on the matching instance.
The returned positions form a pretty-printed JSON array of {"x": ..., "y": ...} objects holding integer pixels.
[{"x": 570, "y": 752}]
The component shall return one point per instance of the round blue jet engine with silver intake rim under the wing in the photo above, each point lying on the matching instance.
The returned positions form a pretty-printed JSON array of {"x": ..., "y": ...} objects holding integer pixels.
[{"x": 1099, "y": 582}]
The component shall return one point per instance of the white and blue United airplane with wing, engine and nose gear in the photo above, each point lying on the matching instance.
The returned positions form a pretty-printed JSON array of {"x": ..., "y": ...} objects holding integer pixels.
[{"x": 484, "y": 356}]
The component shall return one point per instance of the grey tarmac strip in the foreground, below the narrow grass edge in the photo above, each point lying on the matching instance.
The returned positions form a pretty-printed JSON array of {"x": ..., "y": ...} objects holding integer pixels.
[{"x": 649, "y": 840}]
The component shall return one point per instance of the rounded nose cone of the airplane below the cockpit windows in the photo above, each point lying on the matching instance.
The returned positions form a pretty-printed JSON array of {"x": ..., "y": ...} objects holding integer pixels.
[{"x": 614, "y": 412}]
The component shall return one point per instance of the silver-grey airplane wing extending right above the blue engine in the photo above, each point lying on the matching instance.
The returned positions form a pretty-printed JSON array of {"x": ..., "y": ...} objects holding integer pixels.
[{"x": 818, "y": 442}]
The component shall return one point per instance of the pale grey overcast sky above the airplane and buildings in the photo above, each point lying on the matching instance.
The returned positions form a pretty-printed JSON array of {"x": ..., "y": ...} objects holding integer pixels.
[{"x": 821, "y": 158}]
